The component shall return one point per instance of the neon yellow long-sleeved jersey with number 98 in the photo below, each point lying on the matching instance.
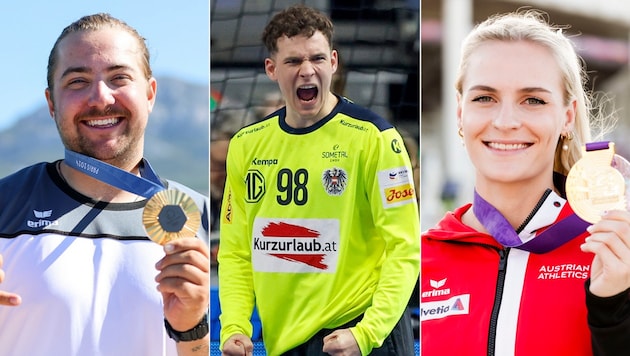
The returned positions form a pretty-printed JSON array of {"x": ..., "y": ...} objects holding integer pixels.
[{"x": 318, "y": 226}]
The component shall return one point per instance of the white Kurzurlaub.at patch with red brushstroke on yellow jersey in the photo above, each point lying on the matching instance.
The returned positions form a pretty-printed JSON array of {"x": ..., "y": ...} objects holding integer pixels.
[{"x": 295, "y": 245}]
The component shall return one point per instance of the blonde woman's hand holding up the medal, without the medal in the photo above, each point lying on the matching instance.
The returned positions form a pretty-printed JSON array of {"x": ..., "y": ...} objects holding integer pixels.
[{"x": 610, "y": 242}]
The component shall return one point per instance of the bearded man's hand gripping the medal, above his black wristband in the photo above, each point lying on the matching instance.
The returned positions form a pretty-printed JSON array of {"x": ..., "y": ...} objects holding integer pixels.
[{"x": 184, "y": 281}]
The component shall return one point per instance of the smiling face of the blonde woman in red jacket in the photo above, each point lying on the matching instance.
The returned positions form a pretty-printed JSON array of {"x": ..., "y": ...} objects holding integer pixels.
[{"x": 512, "y": 111}]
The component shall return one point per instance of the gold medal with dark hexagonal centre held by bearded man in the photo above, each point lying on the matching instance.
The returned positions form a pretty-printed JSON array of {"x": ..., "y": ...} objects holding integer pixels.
[{"x": 170, "y": 214}]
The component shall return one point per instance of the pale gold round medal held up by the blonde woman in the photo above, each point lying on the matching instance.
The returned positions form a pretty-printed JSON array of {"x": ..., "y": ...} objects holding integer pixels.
[{"x": 597, "y": 182}]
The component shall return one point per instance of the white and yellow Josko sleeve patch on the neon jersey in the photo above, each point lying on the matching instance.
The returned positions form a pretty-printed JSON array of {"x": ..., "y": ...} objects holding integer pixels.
[{"x": 396, "y": 187}]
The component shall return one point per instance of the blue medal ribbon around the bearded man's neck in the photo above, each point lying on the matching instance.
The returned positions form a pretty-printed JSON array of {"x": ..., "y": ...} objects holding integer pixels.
[{"x": 147, "y": 185}]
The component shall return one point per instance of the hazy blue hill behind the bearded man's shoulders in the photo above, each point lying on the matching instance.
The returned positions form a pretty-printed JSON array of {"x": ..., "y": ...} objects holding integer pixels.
[{"x": 176, "y": 141}]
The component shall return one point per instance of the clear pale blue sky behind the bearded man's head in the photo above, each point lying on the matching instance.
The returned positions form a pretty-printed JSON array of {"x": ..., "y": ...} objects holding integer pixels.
[{"x": 176, "y": 33}]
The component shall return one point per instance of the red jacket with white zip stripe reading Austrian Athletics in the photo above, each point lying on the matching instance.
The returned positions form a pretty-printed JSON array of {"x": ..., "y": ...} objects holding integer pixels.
[{"x": 479, "y": 298}]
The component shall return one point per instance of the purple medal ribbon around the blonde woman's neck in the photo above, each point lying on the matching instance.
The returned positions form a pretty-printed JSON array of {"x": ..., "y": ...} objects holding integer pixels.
[{"x": 552, "y": 237}]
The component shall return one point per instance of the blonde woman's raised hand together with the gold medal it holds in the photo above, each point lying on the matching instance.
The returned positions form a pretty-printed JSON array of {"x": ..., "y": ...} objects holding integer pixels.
[{"x": 598, "y": 193}]
